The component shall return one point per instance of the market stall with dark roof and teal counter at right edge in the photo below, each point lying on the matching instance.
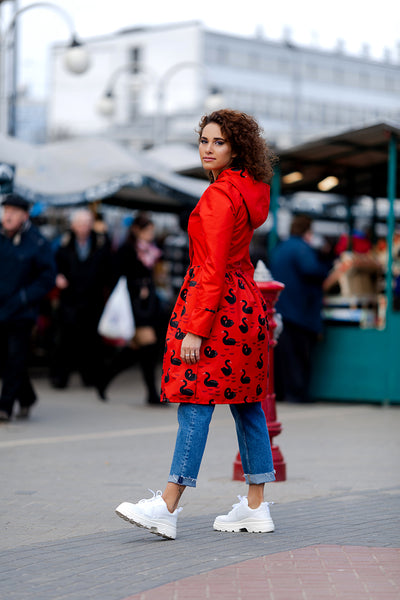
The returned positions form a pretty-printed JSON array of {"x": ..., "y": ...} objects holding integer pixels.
[{"x": 357, "y": 359}]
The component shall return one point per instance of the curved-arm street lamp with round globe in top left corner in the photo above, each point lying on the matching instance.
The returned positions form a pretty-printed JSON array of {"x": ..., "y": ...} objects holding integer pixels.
[{"x": 76, "y": 58}]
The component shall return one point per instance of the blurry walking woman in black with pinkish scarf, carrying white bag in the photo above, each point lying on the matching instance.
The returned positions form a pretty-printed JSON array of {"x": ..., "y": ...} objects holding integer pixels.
[{"x": 136, "y": 259}]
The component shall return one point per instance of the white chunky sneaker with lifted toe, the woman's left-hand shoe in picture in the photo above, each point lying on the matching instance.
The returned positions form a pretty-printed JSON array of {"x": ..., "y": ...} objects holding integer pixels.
[{"x": 152, "y": 514}]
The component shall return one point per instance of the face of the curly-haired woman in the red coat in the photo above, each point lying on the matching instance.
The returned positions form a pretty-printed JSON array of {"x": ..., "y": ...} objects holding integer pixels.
[{"x": 215, "y": 150}]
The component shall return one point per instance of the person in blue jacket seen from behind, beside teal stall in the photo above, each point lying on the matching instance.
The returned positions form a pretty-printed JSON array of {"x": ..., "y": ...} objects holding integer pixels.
[{"x": 298, "y": 265}]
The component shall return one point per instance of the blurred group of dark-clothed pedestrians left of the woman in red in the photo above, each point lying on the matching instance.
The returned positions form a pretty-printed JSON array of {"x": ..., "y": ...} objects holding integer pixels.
[{"x": 52, "y": 295}]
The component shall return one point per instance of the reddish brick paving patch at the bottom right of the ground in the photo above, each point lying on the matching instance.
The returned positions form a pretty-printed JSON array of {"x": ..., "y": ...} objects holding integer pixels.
[{"x": 313, "y": 573}]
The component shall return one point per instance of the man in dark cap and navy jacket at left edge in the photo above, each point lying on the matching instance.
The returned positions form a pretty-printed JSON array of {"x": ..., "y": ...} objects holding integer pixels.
[{"x": 27, "y": 274}]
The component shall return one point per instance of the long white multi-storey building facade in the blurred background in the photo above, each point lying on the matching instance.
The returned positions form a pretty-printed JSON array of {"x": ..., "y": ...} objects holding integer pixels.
[{"x": 155, "y": 82}]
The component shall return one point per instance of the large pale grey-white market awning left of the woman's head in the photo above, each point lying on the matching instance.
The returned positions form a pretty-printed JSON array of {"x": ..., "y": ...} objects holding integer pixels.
[{"x": 85, "y": 170}]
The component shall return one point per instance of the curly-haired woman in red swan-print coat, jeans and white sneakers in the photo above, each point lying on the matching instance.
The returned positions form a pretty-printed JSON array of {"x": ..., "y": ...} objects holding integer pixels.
[{"x": 217, "y": 344}]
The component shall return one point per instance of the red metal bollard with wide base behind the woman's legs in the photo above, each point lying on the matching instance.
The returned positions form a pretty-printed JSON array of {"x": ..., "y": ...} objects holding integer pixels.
[{"x": 270, "y": 291}]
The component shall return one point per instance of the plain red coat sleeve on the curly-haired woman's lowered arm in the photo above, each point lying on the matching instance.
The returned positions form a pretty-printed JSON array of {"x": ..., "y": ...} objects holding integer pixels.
[{"x": 217, "y": 218}]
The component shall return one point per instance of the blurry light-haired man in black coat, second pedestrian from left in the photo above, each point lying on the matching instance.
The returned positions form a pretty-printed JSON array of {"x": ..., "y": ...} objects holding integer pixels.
[{"x": 84, "y": 269}]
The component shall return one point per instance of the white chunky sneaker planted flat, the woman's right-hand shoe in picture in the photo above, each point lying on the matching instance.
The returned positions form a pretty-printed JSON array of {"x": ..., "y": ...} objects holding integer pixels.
[{"x": 244, "y": 518}]
